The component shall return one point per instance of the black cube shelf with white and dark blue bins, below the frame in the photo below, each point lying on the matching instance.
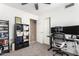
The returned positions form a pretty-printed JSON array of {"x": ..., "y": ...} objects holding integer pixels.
[{"x": 21, "y": 36}]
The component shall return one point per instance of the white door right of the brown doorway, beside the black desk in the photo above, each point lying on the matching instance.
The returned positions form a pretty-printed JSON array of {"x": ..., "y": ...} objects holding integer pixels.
[{"x": 46, "y": 31}]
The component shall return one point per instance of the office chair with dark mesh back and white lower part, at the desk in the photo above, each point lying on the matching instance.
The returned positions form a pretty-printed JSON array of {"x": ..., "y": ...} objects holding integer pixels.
[{"x": 59, "y": 42}]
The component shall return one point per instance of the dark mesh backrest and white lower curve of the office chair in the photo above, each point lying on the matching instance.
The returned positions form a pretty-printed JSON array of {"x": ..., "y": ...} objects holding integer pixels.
[{"x": 59, "y": 39}]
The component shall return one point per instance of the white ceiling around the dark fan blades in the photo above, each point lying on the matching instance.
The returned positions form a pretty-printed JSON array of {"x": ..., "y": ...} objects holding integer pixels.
[{"x": 43, "y": 8}]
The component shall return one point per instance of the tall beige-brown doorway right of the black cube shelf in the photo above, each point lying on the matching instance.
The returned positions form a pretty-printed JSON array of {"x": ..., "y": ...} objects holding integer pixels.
[{"x": 33, "y": 30}]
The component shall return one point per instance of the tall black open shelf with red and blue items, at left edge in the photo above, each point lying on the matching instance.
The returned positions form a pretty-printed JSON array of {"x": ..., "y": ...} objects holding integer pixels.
[{"x": 4, "y": 36}]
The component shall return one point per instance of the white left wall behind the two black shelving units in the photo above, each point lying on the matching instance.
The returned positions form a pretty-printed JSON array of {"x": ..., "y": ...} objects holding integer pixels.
[{"x": 9, "y": 13}]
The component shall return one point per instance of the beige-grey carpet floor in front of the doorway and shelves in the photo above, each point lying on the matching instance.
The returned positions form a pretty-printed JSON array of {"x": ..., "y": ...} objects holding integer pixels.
[{"x": 35, "y": 49}]
